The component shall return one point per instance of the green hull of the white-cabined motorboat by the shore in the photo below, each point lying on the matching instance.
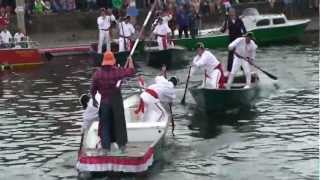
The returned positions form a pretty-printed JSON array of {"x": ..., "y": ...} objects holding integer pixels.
[{"x": 263, "y": 36}]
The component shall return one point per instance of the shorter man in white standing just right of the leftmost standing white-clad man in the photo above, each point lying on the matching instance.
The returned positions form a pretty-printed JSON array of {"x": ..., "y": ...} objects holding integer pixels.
[{"x": 126, "y": 30}]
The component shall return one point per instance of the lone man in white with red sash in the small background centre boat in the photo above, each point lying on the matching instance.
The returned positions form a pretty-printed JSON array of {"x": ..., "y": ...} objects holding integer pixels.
[{"x": 162, "y": 33}]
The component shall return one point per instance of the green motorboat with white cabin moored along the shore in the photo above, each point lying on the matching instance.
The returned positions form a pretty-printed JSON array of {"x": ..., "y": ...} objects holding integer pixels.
[{"x": 267, "y": 29}]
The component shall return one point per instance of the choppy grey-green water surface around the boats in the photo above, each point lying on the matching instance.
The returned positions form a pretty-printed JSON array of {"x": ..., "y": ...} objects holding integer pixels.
[{"x": 40, "y": 121}]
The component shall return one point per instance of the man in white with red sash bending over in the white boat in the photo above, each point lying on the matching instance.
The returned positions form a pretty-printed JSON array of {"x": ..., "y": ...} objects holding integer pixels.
[{"x": 162, "y": 91}]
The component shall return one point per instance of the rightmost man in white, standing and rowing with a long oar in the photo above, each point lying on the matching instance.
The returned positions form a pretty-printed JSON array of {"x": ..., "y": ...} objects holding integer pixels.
[{"x": 244, "y": 51}]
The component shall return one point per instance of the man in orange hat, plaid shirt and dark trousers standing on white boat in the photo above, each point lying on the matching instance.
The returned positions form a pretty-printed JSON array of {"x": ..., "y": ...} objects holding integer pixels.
[{"x": 106, "y": 81}]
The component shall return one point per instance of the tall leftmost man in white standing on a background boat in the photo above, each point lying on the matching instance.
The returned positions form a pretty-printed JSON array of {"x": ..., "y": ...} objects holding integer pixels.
[{"x": 104, "y": 23}]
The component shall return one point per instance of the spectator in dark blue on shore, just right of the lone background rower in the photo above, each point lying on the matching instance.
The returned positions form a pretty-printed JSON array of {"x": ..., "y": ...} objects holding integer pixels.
[{"x": 183, "y": 21}]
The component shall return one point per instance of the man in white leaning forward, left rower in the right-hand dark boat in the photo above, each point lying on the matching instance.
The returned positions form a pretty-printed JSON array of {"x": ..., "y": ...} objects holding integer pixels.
[{"x": 213, "y": 71}]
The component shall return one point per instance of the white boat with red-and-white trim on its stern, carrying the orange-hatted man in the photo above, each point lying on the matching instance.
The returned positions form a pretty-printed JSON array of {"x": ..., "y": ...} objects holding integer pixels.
[{"x": 145, "y": 138}]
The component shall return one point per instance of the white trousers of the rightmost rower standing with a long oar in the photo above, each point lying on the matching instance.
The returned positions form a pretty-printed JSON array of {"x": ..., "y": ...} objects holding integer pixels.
[{"x": 237, "y": 63}]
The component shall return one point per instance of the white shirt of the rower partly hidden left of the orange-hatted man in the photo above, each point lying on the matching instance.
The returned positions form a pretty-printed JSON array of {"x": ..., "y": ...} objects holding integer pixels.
[{"x": 91, "y": 113}]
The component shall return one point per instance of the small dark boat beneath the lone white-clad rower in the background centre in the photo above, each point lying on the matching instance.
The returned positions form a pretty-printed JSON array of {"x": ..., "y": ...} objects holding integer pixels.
[{"x": 172, "y": 57}]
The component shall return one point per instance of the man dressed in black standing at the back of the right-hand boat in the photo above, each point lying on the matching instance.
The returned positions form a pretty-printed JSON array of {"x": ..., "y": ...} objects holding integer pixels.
[{"x": 236, "y": 29}]
